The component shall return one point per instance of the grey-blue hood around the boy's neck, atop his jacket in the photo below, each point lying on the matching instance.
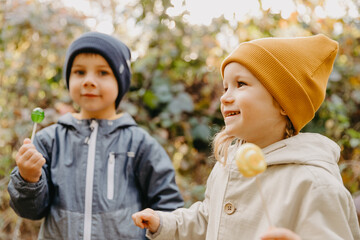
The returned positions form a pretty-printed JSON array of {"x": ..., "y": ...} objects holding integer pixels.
[{"x": 107, "y": 126}]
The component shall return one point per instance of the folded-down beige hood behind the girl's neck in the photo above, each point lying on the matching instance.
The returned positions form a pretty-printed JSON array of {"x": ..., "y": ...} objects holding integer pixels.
[{"x": 306, "y": 149}]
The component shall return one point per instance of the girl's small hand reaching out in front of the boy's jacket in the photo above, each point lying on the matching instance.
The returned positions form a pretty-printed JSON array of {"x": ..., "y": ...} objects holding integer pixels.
[{"x": 147, "y": 218}]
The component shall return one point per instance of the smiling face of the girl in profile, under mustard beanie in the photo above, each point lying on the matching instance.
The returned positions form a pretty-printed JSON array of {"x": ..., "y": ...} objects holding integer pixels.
[{"x": 249, "y": 111}]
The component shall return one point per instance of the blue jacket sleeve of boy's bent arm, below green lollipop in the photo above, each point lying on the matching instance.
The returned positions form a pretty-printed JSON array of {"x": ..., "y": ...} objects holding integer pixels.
[{"x": 30, "y": 200}]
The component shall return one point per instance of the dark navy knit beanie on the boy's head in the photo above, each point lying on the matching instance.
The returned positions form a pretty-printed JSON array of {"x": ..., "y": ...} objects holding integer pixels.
[{"x": 116, "y": 53}]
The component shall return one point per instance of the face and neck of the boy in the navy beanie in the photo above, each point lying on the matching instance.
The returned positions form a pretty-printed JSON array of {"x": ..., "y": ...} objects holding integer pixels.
[{"x": 93, "y": 86}]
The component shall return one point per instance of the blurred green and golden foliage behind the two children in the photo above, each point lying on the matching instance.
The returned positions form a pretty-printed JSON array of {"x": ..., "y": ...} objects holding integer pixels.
[{"x": 176, "y": 83}]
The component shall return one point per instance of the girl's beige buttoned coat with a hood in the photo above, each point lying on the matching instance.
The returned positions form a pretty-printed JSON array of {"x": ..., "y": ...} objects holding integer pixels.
[{"x": 302, "y": 187}]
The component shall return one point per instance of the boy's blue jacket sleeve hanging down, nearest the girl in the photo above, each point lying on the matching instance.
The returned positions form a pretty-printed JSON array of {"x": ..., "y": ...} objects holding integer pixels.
[{"x": 156, "y": 177}]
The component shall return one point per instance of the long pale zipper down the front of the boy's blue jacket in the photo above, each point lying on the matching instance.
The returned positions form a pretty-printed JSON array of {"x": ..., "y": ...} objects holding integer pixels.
[{"x": 90, "y": 179}]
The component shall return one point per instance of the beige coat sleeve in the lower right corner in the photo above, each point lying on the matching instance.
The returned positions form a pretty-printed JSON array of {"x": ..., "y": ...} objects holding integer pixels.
[{"x": 328, "y": 212}]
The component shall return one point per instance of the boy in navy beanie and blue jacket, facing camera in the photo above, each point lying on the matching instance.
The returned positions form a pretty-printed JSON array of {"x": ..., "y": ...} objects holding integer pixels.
[{"x": 89, "y": 172}]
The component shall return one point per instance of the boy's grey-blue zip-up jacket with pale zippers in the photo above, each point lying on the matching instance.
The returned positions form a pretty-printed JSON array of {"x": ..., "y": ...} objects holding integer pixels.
[{"x": 97, "y": 174}]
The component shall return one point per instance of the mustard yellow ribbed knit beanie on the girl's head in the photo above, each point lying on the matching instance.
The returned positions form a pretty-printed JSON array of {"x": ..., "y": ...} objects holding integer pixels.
[{"x": 295, "y": 71}]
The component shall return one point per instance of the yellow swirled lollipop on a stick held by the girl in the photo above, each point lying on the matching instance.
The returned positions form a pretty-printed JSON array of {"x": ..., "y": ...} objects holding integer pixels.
[{"x": 251, "y": 161}]
